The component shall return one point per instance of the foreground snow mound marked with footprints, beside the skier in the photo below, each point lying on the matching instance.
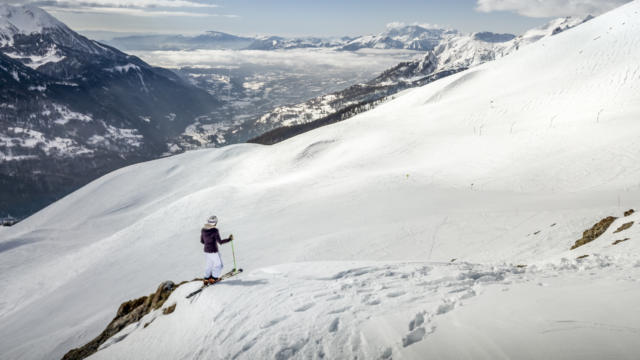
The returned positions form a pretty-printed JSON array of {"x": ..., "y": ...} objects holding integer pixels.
[{"x": 413, "y": 310}]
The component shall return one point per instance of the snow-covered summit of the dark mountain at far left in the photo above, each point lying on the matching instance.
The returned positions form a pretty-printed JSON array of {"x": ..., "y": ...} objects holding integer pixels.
[{"x": 26, "y": 19}]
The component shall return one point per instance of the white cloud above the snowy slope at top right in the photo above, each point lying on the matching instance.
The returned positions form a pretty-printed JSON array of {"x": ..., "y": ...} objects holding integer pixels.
[{"x": 550, "y": 8}]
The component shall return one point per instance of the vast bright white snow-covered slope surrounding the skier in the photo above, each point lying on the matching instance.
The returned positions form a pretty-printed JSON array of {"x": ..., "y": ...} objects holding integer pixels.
[{"x": 347, "y": 233}]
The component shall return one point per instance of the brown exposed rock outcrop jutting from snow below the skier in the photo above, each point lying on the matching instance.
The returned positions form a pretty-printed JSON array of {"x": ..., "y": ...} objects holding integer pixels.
[{"x": 128, "y": 313}]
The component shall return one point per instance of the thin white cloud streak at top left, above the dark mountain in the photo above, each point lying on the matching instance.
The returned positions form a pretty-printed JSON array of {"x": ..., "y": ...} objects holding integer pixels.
[{"x": 143, "y": 8}]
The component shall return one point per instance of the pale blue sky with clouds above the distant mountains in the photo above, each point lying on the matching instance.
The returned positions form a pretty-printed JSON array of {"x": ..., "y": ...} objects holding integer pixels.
[{"x": 311, "y": 17}]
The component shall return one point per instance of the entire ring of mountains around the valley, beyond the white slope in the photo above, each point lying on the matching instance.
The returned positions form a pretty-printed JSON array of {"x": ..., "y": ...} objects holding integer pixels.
[{"x": 74, "y": 109}]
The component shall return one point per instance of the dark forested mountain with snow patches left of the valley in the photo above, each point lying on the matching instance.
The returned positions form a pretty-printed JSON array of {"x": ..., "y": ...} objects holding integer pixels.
[{"x": 74, "y": 109}]
